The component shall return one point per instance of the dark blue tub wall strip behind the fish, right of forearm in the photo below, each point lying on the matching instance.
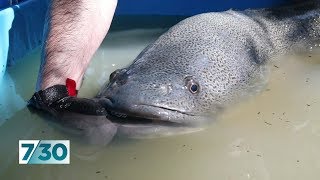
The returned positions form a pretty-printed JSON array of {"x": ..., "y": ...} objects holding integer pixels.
[{"x": 189, "y": 7}]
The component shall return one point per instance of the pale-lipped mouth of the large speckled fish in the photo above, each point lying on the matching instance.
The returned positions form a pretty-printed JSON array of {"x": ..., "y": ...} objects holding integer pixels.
[{"x": 145, "y": 114}]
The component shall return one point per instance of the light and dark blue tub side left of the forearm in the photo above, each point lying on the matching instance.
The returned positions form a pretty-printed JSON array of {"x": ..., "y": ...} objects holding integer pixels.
[{"x": 21, "y": 29}]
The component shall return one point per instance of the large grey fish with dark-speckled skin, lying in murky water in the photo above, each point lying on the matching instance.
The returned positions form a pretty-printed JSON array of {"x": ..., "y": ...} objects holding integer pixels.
[{"x": 225, "y": 53}]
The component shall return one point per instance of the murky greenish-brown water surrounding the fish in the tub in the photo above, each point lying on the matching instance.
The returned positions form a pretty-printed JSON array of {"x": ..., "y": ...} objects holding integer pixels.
[{"x": 274, "y": 135}]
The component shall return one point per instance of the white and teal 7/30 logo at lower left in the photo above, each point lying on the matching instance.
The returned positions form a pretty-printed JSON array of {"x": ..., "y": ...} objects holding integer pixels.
[{"x": 44, "y": 152}]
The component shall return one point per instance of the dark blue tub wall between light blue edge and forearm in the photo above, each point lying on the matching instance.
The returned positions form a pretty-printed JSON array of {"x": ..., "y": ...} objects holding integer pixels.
[{"x": 27, "y": 27}]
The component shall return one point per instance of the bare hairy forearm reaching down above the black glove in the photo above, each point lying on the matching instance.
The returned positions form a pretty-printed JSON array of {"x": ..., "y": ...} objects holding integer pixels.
[{"x": 75, "y": 30}]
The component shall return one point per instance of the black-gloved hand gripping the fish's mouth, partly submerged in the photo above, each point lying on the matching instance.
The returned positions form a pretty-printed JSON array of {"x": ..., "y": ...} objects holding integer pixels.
[{"x": 86, "y": 115}]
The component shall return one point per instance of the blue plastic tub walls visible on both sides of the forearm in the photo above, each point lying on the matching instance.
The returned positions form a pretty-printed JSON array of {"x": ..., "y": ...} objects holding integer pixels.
[{"x": 21, "y": 25}]
